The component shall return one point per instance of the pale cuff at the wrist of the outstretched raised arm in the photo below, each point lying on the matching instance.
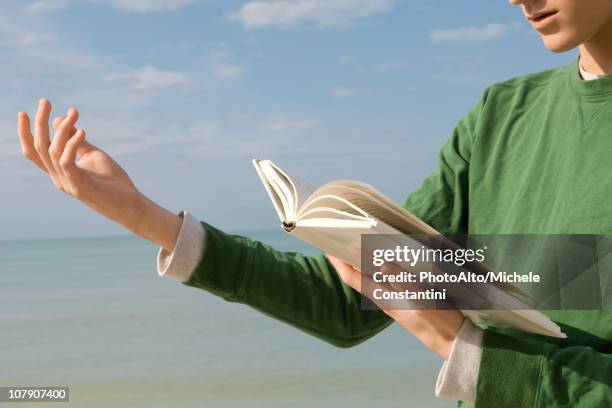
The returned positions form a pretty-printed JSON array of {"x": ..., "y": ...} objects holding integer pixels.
[{"x": 188, "y": 251}]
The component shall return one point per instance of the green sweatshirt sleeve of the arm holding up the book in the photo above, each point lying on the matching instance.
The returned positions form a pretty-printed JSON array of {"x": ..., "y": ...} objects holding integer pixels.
[{"x": 538, "y": 373}]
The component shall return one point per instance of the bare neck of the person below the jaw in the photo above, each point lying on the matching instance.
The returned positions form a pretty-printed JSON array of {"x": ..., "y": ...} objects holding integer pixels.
[{"x": 596, "y": 53}]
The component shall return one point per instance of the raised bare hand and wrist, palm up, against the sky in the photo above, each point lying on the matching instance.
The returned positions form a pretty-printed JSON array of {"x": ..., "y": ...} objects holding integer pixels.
[{"x": 88, "y": 174}]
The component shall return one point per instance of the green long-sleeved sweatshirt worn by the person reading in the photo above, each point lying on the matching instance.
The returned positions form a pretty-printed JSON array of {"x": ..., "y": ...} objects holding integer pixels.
[{"x": 532, "y": 156}]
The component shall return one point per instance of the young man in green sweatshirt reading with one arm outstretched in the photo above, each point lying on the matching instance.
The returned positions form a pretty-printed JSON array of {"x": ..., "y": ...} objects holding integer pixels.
[{"x": 532, "y": 156}]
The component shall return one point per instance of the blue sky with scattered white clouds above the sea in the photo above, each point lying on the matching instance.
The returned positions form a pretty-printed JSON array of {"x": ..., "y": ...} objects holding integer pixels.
[{"x": 183, "y": 93}]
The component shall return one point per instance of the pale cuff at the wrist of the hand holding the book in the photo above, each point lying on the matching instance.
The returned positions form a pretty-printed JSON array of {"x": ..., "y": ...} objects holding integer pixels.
[{"x": 459, "y": 374}]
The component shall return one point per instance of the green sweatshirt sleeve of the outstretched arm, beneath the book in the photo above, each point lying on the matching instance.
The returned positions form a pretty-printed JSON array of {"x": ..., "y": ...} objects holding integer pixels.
[{"x": 303, "y": 291}]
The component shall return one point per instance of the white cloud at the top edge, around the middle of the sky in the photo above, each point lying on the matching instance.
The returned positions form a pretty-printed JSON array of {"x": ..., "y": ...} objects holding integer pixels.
[{"x": 320, "y": 13}]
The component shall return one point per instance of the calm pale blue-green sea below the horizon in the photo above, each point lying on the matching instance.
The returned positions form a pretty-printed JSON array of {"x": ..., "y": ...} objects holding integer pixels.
[{"x": 93, "y": 314}]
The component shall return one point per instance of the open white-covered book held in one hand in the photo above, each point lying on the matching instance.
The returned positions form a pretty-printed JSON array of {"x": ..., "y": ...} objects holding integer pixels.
[{"x": 334, "y": 216}]
